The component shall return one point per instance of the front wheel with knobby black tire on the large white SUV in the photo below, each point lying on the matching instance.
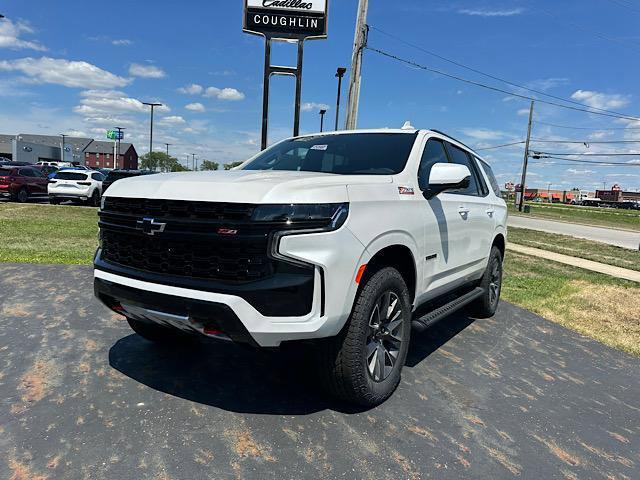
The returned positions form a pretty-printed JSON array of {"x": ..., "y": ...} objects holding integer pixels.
[{"x": 347, "y": 363}]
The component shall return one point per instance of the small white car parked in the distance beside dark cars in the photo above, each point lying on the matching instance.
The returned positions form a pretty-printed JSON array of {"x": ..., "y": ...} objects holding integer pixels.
[{"x": 84, "y": 185}]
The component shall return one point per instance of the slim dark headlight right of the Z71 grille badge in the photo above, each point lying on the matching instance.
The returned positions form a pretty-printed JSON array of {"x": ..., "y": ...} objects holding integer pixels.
[{"x": 329, "y": 216}]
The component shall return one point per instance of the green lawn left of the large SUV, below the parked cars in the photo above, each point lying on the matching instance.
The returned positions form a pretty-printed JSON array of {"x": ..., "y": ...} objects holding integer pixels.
[{"x": 47, "y": 234}]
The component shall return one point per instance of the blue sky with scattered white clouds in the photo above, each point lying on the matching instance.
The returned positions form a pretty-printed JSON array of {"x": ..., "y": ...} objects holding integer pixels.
[{"x": 79, "y": 68}]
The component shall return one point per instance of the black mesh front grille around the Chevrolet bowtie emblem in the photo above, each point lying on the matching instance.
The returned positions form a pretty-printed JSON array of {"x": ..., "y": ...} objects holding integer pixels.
[{"x": 190, "y": 245}]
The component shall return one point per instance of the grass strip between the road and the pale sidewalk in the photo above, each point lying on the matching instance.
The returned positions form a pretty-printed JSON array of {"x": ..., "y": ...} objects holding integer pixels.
[{"x": 575, "y": 247}]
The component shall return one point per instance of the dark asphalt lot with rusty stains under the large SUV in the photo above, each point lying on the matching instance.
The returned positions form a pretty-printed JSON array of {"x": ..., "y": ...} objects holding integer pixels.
[{"x": 511, "y": 397}]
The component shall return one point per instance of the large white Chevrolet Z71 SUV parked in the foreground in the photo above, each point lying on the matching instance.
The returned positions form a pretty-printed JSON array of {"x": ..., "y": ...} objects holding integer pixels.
[{"x": 343, "y": 240}]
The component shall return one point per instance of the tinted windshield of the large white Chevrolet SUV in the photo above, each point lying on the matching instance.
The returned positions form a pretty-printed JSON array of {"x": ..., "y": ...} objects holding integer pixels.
[{"x": 347, "y": 154}]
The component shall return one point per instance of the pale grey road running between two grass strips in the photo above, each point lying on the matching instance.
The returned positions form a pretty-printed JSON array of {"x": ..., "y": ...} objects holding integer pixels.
[{"x": 619, "y": 238}]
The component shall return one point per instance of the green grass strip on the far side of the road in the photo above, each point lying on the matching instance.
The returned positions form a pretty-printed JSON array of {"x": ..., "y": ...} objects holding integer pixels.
[{"x": 602, "y": 217}]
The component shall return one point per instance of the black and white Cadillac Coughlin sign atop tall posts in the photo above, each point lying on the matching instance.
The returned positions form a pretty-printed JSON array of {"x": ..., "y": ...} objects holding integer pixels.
[{"x": 286, "y": 18}]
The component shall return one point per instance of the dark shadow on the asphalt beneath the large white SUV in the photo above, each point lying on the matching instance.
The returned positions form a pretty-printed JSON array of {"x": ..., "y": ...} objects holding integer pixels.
[{"x": 243, "y": 380}]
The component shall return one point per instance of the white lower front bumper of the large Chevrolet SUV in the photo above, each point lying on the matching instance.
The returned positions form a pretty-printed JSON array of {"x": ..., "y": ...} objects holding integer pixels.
[{"x": 335, "y": 256}]
